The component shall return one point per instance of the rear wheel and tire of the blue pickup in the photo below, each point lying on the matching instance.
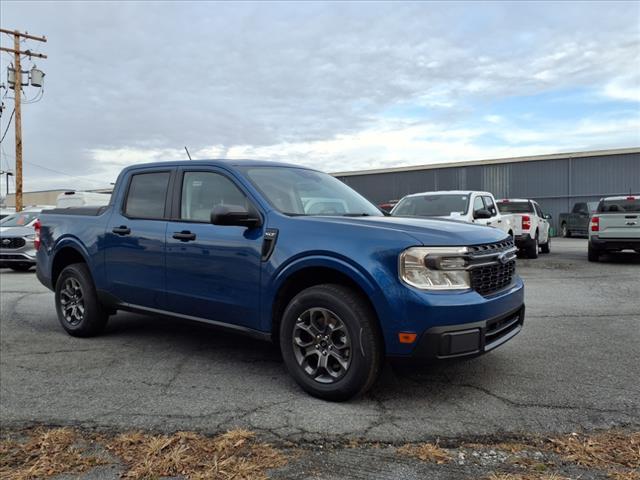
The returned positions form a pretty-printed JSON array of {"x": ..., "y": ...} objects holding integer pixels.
[{"x": 85, "y": 317}]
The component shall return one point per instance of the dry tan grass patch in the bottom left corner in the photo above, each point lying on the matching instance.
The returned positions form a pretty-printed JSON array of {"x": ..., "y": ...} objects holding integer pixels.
[{"x": 44, "y": 453}]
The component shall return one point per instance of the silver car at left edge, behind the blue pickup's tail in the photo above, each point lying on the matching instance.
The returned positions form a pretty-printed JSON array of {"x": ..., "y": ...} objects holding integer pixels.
[{"x": 17, "y": 250}]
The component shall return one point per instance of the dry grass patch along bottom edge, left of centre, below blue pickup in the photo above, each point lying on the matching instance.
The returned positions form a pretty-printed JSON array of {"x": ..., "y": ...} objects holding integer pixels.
[{"x": 234, "y": 454}]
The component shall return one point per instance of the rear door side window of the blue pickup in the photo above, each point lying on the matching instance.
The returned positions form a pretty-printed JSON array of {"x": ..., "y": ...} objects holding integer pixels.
[{"x": 147, "y": 195}]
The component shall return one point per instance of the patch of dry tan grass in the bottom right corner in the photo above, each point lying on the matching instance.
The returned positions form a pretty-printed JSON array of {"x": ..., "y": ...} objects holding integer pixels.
[{"x": 601, "y": 450}]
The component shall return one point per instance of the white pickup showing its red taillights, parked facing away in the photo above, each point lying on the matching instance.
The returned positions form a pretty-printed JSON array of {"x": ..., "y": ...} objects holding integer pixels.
[{"x": 531, "y": 226}]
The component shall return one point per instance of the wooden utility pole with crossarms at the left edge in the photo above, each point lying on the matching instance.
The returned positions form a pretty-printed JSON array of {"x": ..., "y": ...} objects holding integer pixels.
[{"x": 18, "y": 93}]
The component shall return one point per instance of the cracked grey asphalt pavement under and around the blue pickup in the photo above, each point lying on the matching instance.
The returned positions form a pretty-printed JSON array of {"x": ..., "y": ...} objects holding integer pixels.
[{"x": 574, "y": 367}]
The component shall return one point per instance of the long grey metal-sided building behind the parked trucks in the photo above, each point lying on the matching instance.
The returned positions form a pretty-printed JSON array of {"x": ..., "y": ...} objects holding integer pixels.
[{"x": 556, "y": 181}]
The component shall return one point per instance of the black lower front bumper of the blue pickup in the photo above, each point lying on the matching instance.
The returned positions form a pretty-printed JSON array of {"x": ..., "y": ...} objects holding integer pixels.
[{"x": 469, "y": 339}]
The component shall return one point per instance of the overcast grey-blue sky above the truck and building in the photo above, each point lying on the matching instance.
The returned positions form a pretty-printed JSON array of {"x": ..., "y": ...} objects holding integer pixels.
[{"x": 336, "y": 86}]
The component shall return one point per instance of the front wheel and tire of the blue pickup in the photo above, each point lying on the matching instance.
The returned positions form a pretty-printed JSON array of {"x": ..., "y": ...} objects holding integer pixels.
[{"x": 322, "y": 314}]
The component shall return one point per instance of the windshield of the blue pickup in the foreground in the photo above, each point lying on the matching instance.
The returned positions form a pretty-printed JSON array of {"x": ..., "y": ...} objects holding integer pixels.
[{"x": 297, "y": 191}]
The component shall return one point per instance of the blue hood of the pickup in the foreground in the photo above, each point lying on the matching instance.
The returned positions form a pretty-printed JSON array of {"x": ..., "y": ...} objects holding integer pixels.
[{"x": 426, "y": 231}]
